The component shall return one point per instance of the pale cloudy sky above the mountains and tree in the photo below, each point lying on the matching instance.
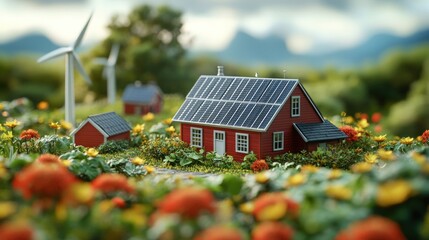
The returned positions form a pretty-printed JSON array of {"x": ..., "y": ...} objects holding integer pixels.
[{"x": 306, "y": 25}]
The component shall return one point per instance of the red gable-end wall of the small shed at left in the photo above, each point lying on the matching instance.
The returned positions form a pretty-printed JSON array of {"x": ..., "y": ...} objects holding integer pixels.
[{"x": 88, "y": 136}]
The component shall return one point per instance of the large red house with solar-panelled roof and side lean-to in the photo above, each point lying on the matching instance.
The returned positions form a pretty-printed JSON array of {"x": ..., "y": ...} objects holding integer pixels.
[{"x": 269, "y": 116}]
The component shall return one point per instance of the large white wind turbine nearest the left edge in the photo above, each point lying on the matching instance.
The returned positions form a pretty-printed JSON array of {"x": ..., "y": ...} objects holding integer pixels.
[{"x": 71, "y": 58}]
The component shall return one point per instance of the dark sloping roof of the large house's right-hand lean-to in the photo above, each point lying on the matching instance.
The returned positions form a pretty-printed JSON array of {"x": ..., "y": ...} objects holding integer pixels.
[{"x": 314, "y": 132}]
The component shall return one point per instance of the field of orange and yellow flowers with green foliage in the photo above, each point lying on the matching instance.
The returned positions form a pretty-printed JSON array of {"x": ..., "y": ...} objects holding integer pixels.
[{"x": 371, "y": 186}]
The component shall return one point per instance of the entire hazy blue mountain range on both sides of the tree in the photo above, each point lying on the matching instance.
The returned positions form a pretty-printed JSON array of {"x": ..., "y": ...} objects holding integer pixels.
[{"x": 245, "y": 49}]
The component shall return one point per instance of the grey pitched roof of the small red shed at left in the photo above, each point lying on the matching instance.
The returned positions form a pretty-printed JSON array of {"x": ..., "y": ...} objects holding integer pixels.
[{"x": 109, "y": 124}]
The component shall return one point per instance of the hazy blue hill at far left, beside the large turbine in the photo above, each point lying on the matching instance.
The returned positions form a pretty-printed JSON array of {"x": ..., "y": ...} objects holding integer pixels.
[{"x": 32, "y": 43}]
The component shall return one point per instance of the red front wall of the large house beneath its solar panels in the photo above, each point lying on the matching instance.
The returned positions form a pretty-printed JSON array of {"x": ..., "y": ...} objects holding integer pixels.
[{"x": 208, "y": 138}]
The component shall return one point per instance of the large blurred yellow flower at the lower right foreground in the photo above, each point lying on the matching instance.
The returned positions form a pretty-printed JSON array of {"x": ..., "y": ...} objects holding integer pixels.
[{"x": 393, "y": 192}]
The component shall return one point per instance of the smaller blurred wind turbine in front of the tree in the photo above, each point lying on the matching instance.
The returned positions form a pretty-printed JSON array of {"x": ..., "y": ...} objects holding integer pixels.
[{"x": 109, "y": 72}]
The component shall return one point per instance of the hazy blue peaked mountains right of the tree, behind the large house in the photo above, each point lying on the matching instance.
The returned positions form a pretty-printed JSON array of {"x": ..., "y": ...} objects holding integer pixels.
[{"x": 247, "y": 50}]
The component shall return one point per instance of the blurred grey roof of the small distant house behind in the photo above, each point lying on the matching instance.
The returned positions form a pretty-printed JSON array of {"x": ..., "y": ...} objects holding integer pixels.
[{"x": 138, "y": 93}]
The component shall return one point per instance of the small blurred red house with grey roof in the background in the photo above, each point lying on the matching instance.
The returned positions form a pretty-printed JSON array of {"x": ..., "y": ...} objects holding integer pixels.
[{"x": 140, "y": 99}]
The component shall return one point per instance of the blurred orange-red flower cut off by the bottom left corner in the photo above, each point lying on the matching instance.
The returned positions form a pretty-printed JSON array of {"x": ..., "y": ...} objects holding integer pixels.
[{"x": 14, "y": 231}]
